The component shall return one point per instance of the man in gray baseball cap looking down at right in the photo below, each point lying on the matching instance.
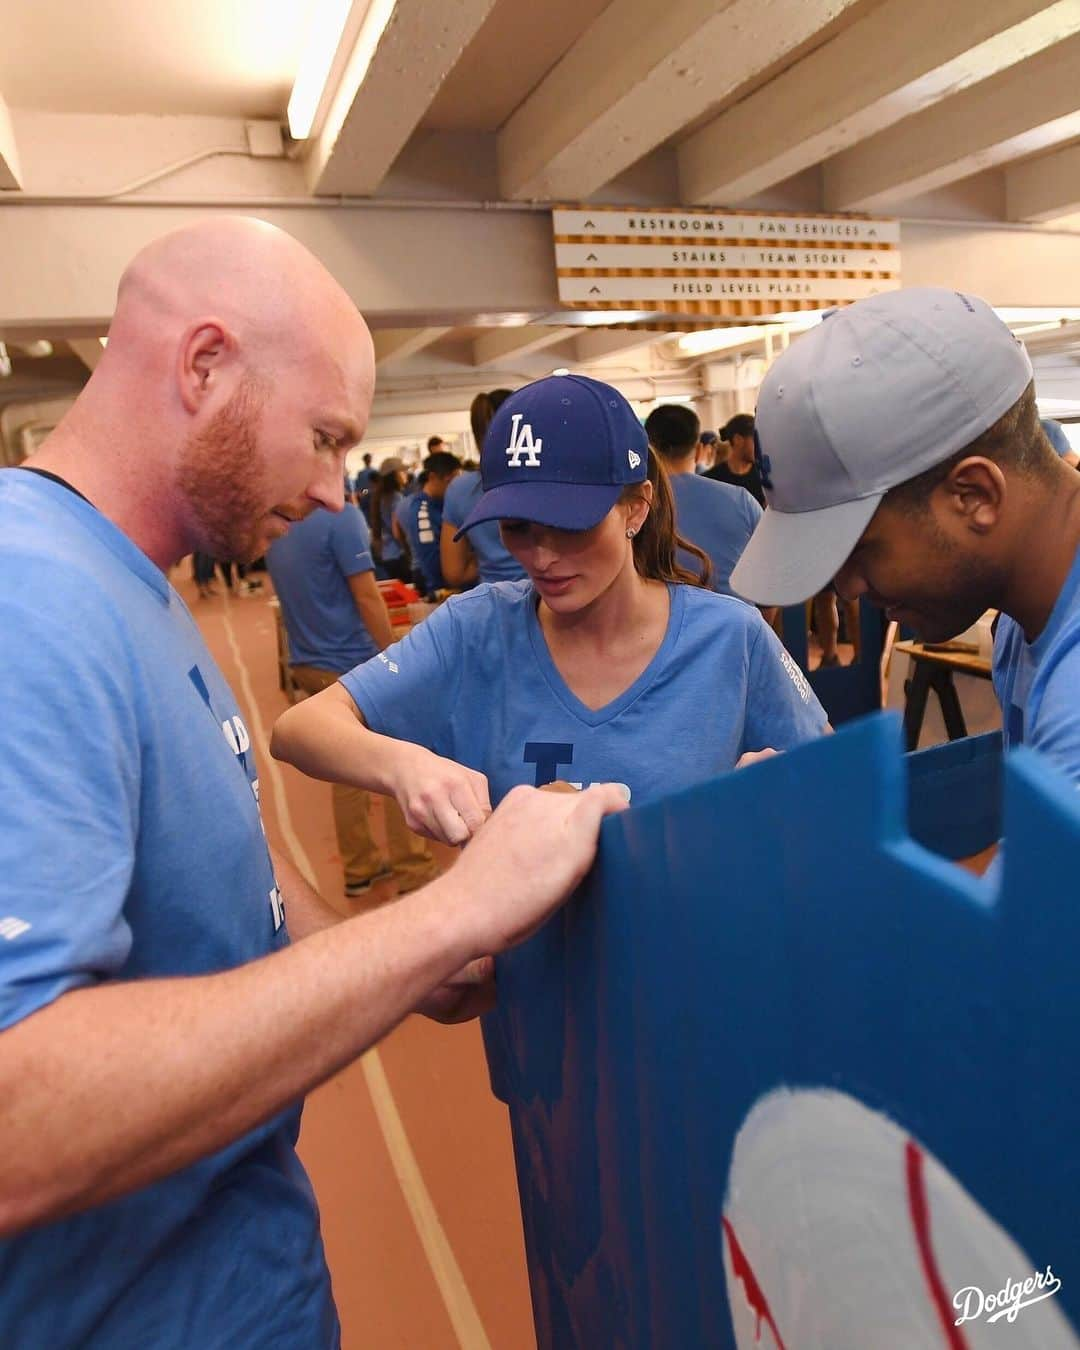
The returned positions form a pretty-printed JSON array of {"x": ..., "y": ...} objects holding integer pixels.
[{"x": 902, "y": 457}]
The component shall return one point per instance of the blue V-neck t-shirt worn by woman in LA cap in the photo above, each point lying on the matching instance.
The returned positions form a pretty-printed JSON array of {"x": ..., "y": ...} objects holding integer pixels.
[{"x": 476, "y": 682}]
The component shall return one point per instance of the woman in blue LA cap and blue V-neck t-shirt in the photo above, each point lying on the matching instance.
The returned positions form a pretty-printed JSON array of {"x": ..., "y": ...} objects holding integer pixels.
[{"x": 608, "y": 664}]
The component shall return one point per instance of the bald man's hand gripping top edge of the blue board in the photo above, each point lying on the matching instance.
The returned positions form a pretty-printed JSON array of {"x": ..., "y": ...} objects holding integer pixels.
[{"x": 529, "y": 858}]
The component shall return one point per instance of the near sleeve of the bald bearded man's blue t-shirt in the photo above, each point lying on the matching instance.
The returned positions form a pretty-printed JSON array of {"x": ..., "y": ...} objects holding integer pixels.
[{"x": 70, "y": 782}]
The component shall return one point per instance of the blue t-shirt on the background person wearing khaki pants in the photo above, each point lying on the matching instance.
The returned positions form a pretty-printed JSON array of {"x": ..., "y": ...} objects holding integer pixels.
[{"x": 311, "y": 568}]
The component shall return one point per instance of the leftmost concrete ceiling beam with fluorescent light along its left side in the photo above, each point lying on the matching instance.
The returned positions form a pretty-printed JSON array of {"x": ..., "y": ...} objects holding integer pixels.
[{"x": 384, "y": 94}]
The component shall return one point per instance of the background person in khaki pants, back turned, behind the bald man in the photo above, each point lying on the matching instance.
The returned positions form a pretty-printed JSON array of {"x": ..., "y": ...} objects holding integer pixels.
[{"x": 335, "y": 619}]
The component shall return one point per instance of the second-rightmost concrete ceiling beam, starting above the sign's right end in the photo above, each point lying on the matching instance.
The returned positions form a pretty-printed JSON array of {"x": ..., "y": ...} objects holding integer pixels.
[{"x": 1017, "y": 113}]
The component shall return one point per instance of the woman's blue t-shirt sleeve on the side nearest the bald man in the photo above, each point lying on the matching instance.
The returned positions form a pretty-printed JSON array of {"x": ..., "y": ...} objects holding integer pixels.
[{"x": 410, "y": 691}]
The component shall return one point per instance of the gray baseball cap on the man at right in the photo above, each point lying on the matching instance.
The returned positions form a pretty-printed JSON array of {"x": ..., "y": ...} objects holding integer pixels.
[{"x": 874, "y": 396}]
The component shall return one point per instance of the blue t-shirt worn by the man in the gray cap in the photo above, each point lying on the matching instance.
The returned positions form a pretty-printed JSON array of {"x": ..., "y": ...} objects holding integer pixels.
[{"x": 1039, "y": 684}]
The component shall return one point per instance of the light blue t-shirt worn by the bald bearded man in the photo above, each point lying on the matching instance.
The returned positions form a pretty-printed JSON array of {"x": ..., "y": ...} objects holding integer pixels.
[{"x": 133, "y": 847}]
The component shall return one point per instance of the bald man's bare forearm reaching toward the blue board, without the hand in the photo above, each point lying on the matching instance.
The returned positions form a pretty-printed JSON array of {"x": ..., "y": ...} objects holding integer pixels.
[{"x": 113, "y": 1087}]
